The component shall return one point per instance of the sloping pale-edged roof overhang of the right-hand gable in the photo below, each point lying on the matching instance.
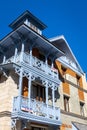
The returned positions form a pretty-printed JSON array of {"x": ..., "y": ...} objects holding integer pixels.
[{"x": 61, "y": 43}]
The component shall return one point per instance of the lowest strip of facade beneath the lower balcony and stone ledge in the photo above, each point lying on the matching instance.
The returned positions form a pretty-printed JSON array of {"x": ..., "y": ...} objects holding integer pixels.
[{"x": 68, "y": 123}]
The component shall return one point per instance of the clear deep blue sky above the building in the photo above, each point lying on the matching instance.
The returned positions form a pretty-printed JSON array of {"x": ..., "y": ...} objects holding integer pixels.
[{"x": 63, "y": 17}]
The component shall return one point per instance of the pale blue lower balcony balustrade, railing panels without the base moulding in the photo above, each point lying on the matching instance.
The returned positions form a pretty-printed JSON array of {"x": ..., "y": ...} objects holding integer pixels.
[{"x": 35, "y": 108}]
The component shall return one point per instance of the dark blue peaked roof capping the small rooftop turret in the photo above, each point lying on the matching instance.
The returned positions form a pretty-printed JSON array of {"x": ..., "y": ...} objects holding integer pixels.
[{"x": 31, "y": 17}]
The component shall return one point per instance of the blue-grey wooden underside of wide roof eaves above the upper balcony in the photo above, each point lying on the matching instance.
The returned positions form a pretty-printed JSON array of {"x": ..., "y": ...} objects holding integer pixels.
[{"x": 24, "y": 33}]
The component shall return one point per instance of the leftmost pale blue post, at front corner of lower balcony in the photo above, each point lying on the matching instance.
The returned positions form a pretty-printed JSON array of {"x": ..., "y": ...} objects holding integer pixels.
[{"x": 20, "y": 86}]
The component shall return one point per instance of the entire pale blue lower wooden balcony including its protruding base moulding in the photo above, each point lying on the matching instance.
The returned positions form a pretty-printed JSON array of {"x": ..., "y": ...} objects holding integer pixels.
[{"x": 35, "y": 111}]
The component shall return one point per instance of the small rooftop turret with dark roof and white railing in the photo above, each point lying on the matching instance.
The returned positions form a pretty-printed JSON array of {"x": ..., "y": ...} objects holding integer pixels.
[{"x": 30, "y": 20}]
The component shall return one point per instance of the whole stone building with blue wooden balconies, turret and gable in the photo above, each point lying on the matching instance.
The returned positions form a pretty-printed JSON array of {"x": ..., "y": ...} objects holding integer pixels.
[{"x": 42, "y": 86}]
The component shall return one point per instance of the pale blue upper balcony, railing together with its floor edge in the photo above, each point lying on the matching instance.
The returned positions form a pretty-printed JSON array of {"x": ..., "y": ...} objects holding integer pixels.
[{"x": 37, "y": 66}]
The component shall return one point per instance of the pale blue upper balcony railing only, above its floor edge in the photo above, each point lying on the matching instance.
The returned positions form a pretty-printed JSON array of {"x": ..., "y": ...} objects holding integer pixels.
[{"x": 34, "y": 62}]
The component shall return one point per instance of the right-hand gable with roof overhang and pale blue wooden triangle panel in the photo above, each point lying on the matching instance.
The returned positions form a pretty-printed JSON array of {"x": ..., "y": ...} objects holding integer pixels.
[{"x": 68, "y": 59}]
